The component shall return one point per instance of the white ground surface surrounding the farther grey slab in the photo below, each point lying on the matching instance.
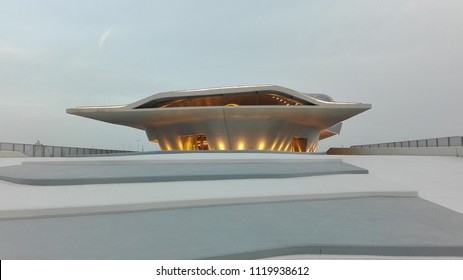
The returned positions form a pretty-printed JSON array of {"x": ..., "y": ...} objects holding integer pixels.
[{"x": 437, "y": 179}]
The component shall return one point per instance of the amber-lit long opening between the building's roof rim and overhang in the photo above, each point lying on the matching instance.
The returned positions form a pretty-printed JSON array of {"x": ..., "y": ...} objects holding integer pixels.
[{"x": 237, "y": 99}]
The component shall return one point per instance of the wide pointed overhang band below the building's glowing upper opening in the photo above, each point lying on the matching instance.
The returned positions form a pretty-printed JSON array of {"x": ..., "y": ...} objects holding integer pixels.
[{"x": 315, "y": 116}]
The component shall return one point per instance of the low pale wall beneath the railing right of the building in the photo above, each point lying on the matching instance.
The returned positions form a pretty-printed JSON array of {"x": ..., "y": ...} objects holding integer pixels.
[{"x": 410, "y": 151}]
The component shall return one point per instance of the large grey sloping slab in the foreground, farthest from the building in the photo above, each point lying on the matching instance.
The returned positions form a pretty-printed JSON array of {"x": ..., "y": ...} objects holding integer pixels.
[{"x": 371, "y": 226}]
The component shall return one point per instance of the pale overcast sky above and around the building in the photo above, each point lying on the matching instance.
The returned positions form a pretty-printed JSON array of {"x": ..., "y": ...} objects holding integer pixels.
[{"x": 403, "y": 57}]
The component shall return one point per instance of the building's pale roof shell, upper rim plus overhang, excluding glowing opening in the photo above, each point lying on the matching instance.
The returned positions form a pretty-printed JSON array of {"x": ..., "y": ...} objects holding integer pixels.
[{"x": 321, "y": 114}]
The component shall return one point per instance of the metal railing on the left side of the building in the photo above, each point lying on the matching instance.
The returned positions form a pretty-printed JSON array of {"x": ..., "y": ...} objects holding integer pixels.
[{"x": 40, "y": 150}]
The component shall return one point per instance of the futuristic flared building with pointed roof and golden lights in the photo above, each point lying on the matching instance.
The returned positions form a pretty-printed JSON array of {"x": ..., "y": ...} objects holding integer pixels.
[{"x": 263, "y": 117}]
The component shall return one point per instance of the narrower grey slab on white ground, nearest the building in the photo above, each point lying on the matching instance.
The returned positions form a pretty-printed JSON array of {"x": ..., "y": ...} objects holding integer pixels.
[{"x": 110, "y": 172}]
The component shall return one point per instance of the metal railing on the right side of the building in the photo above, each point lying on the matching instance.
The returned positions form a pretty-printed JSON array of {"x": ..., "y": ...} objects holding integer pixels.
[{"x": 453, "y": 141}]
